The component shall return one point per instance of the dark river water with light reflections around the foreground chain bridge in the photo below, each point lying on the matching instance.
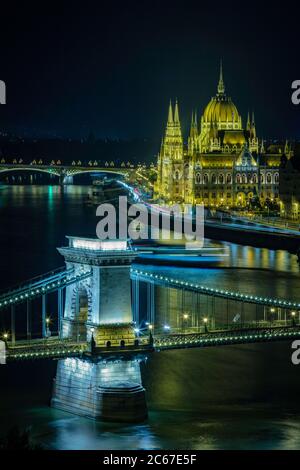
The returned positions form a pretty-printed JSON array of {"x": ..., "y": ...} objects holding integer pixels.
[{"x": 233, "y": 397}]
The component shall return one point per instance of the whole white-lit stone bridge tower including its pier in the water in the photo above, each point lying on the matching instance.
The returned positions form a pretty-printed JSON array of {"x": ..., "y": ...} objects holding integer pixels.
[{"x": 105, "y": 383}]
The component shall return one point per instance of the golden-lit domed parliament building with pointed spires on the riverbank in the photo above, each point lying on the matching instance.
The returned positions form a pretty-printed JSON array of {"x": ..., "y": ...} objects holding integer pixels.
[{"x": 223, "y": 164}]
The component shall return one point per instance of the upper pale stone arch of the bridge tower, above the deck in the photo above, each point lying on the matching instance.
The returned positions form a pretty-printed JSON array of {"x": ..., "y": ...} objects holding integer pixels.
[{"x": 107, "y": 289}]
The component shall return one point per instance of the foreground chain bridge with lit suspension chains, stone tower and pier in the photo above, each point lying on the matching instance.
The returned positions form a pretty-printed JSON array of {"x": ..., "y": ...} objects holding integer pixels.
[{"x": 108, "y": 321}]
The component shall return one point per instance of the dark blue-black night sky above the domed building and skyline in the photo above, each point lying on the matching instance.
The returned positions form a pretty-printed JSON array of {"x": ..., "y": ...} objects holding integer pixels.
[{"x": 112, "y": 69}]
